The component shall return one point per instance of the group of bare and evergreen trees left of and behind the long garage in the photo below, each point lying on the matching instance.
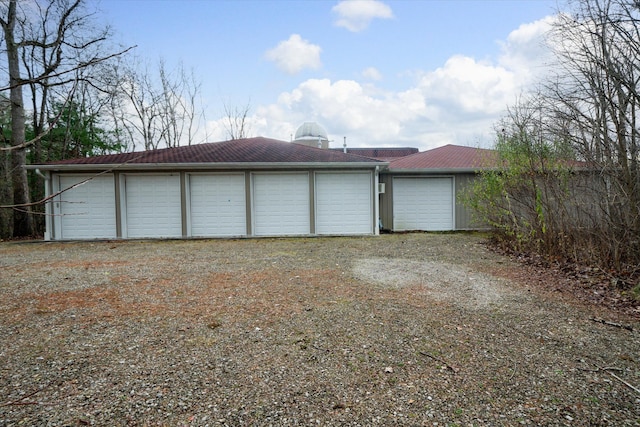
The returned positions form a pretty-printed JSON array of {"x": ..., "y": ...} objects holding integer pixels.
[{"x": 71, "y": 91}]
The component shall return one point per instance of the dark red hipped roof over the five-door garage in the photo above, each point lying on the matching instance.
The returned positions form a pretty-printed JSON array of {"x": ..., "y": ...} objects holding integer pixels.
[{"x": 249, "y": 150}]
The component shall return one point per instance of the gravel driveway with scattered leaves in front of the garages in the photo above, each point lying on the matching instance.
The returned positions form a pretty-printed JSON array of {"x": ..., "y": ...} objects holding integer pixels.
[{"x": 403, "y": 329}]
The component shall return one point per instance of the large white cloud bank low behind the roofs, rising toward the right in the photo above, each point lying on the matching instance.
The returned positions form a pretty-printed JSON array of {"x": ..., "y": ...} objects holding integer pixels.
[{"x": 456, "y": 103}]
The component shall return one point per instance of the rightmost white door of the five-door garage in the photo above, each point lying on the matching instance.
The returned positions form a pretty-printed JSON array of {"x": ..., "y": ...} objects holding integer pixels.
[{"x": 343, "y": 203}]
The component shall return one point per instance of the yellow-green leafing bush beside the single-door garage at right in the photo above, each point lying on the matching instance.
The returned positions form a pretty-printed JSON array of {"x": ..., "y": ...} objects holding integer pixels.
[{"x": 524, "y": 197}]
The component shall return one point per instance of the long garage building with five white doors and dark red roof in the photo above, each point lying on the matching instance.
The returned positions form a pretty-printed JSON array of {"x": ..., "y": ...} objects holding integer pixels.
[{"x": 247, "y": 187}]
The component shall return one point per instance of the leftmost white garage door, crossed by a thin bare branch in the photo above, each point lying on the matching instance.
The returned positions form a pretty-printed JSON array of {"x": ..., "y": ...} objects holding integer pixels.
[{"x": 87, "y": 211}]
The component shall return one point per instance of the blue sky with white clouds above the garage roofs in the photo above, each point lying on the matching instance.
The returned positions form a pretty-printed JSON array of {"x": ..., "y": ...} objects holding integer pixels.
[{"x": 382, "y": 73}]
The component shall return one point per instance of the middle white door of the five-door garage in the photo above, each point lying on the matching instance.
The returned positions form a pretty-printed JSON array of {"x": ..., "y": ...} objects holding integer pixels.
[{"x": 217, "y": 205}]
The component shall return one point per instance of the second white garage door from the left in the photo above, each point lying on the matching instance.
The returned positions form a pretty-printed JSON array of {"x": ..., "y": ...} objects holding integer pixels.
[{"x": 153, "y": 206}]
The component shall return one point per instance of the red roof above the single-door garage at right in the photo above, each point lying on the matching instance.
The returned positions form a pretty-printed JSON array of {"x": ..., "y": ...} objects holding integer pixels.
[{"x": 447, "y": 157}]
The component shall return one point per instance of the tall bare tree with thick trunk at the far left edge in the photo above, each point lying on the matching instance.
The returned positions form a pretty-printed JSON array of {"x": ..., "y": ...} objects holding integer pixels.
[{"x": 49, "y": 46}]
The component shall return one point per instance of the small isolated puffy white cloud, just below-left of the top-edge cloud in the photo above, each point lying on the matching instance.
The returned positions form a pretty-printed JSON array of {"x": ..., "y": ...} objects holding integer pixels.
[{"x": 295, "y": 54}]
